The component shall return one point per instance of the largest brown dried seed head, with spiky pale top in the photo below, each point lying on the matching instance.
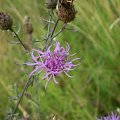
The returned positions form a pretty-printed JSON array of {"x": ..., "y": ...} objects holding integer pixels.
[{"x": 66, "y": 12}]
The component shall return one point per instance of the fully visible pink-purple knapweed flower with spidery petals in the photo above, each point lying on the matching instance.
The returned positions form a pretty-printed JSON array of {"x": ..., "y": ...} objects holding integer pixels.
[{"x": 52, "y": 63}]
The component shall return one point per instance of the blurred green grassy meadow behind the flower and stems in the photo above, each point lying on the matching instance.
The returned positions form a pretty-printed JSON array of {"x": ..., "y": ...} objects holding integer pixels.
[{"x": 95, "y": 88}]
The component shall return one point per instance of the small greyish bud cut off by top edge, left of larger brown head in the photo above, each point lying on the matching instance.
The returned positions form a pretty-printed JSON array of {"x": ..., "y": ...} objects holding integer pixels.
[{"x": 51, "y": 4}]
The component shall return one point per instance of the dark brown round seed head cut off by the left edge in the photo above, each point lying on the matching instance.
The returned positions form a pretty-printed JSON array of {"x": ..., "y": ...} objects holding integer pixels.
[{"x": 6, "y": 21}]
